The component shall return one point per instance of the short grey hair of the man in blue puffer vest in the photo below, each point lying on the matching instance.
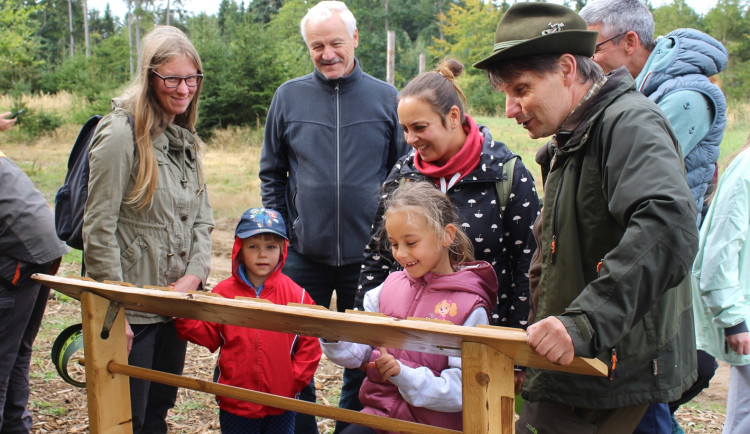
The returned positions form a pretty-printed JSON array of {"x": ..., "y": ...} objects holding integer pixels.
[{"x": 621, "y": 16}]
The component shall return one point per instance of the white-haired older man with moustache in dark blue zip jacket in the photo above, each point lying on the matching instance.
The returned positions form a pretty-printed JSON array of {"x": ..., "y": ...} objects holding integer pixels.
[{"x": 331, "y": 138}]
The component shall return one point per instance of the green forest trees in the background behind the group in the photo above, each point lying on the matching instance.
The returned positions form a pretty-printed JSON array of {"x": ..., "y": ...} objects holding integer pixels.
[{"x": 249, "y": 48}]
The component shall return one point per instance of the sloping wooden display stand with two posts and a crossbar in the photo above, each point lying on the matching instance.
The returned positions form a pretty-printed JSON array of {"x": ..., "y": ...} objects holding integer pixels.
[{"x": 488, "y": 354}]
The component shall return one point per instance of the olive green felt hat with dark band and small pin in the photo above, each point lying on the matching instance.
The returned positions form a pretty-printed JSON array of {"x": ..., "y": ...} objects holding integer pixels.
[{"x": 529, "y": 29}]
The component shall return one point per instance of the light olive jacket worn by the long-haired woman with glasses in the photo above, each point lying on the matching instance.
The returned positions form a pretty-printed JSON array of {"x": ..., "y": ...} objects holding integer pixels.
[{"x": 159, "y": 243}]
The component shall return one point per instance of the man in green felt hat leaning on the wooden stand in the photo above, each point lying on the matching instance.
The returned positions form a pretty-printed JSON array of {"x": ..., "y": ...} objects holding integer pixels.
[{"x": 618, "y": 233}]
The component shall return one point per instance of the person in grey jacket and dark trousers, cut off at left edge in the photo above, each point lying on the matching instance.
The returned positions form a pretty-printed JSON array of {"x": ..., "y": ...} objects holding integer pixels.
[{"x": 28, "y": 245}]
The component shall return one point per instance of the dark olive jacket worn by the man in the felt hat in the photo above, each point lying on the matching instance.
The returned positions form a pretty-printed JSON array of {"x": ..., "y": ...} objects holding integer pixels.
[{"x": 622, "y": 220}]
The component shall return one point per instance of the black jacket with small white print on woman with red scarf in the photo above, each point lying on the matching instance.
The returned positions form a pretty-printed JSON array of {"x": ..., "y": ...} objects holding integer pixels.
[{"x": 502, "y": 238}]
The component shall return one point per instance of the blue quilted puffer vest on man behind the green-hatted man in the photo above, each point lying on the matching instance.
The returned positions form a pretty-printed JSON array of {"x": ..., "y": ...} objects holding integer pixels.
[{"x": 683, "y": 61}]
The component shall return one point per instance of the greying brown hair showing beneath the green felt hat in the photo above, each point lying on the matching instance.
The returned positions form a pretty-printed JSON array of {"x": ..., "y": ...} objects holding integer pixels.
[{"x": 587, "y": 70}]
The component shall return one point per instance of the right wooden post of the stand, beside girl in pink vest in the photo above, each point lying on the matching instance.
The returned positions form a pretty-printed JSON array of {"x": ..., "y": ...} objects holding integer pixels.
[{"x": 488, "y": 393}]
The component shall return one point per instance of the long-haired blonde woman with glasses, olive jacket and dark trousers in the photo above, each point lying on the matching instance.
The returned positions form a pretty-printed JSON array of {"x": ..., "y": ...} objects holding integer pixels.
[{"x": 147, "y": 219}]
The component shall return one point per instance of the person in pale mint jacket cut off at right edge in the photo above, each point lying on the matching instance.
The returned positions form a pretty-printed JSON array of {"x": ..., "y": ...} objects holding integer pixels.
[{"x": 721, "y": 285}]
